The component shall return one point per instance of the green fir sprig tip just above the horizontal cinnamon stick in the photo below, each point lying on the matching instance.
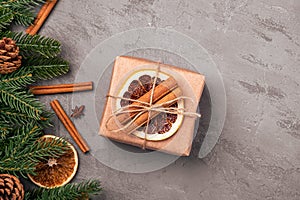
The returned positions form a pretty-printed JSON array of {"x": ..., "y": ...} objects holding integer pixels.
[{"x": 44, "y": 68}]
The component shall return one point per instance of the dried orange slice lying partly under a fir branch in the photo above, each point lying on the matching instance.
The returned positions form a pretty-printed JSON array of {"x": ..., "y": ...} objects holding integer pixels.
[{"x": 56, "y": 172}]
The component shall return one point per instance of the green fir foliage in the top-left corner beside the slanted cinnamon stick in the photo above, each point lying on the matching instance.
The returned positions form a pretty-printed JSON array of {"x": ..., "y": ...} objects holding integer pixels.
[{"x": 17, "y": 11}]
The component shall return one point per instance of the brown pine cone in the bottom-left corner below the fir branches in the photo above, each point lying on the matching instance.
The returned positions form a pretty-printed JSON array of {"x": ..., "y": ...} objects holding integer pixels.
[{"x": 10, "y": 188}]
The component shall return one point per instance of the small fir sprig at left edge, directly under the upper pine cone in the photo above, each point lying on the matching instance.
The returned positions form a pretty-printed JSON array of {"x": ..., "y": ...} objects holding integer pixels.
[{"x": 19, "y": 78}]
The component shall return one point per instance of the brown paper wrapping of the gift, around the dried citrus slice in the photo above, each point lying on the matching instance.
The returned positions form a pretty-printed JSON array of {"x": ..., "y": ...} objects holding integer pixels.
[{"x": 178, "y": 144}]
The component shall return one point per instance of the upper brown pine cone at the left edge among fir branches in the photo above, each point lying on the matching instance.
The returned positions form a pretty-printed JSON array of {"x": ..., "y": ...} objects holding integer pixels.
[{"x": 9, "y": 56}]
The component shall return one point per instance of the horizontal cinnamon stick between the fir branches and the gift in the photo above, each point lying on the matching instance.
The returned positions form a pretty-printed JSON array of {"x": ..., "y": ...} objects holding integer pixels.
[{"x": 61, "y": 88}]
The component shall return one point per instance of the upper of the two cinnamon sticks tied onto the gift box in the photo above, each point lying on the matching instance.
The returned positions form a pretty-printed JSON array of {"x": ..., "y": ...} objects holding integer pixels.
[{"x": 159, "y": 91}]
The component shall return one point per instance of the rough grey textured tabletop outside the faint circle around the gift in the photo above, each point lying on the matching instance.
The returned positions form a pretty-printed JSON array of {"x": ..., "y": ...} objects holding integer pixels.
[{"x": 256, "y": 46}]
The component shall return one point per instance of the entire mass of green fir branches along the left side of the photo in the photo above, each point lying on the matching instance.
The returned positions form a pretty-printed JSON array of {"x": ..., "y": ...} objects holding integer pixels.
[{"x": 22, "y": 116}]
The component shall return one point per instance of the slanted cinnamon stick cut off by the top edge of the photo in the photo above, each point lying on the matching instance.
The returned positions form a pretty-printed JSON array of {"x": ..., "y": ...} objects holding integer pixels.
[{"x": 41, "y": 17}]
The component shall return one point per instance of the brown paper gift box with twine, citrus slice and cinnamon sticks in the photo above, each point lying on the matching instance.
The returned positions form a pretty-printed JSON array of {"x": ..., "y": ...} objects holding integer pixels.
[{"x": 152, "y": 105}]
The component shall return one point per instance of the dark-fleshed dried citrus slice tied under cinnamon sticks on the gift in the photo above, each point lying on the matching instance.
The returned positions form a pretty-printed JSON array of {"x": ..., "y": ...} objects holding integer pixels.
[{"x": 163, "y": 125}]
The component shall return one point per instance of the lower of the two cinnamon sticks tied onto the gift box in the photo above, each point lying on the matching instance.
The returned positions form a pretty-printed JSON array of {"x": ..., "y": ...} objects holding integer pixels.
[{"x": 142, "y": 119}]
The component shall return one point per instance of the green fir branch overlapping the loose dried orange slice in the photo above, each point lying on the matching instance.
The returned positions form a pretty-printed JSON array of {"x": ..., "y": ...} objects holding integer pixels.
[{"x": 22, "y": 152}]
